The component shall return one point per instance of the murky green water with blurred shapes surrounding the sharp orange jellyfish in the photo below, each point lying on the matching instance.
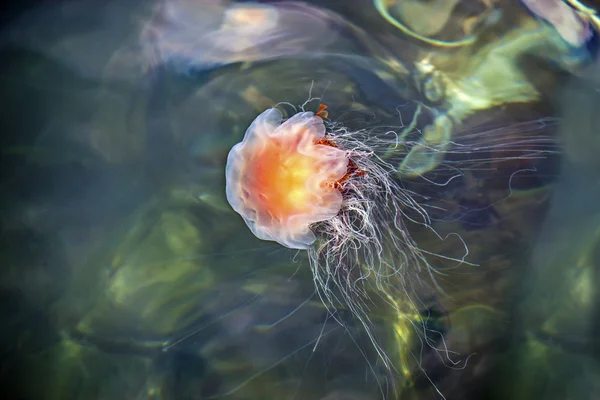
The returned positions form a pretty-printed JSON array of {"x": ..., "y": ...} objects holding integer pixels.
[{"x": 127, "y": 275}]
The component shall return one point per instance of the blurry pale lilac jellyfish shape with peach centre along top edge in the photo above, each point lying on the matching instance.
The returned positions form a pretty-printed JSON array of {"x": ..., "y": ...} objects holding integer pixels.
[{"x": 196, "y": 35}]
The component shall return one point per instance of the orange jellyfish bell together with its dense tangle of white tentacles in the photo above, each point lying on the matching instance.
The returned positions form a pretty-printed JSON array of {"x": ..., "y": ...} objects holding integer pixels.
[{"x": 311, "y": 184}]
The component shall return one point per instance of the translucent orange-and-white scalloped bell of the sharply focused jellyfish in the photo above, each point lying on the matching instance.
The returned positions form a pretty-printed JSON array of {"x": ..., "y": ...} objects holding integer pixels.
[{"x": 284, "y": 177}]
